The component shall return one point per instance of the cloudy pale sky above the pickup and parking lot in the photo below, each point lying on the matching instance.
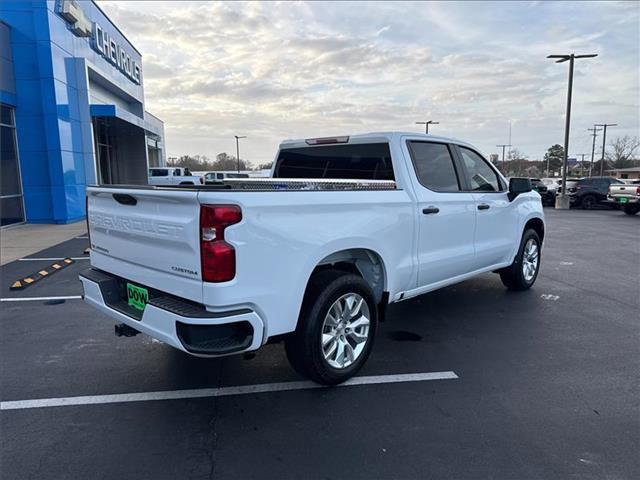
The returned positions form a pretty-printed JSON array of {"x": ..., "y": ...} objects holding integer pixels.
[{"x": 274, "y": 70}]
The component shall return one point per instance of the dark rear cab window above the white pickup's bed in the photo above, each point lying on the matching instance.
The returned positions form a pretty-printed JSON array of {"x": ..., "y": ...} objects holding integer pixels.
[{"x": 370, "y": 161}]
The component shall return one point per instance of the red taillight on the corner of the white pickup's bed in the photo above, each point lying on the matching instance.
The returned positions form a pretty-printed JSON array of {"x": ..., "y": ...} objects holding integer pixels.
[{"x": 217, "y": 257}]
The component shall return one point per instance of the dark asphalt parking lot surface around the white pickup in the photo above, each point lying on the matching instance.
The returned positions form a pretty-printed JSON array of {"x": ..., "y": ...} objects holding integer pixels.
[{"x": 547, "y": 382}]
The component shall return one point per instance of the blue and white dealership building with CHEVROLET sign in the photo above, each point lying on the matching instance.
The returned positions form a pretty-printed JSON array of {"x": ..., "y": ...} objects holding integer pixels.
[{"x": 72, "y": 110}]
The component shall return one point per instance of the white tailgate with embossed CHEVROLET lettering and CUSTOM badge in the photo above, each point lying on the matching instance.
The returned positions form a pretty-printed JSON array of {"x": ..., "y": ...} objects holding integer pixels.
[{"x": 148, "y": 236}]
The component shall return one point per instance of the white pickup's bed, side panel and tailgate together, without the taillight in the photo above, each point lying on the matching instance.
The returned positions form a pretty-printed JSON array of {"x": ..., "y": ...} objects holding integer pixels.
[{"x": 149, "y": 235}]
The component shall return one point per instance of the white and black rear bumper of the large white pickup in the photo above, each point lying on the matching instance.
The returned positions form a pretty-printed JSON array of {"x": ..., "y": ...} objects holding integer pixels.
[{"x": 182, "y": 324}]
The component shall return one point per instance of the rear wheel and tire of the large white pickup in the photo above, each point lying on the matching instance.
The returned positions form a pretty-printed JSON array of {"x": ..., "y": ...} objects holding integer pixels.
[{"x": 305, "y": 349}]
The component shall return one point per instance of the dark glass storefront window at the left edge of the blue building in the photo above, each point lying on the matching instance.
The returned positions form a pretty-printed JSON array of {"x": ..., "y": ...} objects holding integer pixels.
[{"x": 11, "y": 206}]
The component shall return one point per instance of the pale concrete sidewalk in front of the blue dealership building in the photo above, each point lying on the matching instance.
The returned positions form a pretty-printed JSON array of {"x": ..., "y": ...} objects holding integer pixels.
[{"x": 22, "y": 240}]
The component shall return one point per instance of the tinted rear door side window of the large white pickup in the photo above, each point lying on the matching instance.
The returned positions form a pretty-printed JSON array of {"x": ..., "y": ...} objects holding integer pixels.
[{"x": 434, "y": 166}]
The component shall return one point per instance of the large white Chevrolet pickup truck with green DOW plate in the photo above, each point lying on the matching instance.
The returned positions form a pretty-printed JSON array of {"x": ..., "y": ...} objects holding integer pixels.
[{"x": 313, "y": 255}]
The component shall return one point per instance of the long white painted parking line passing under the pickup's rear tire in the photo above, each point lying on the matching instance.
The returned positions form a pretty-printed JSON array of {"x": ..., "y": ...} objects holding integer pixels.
[{"x": 218, "y": 392}]
